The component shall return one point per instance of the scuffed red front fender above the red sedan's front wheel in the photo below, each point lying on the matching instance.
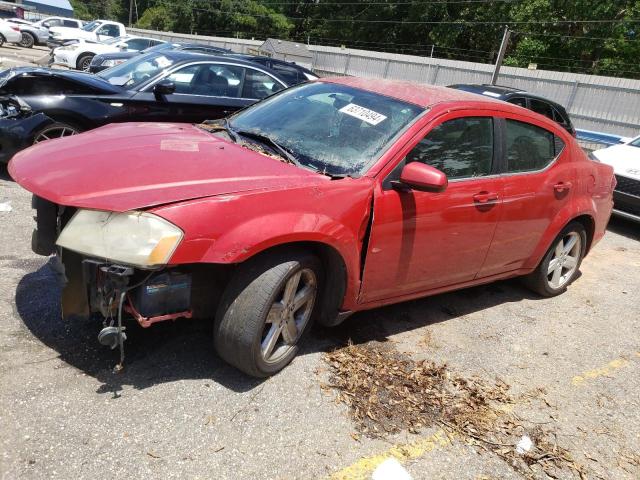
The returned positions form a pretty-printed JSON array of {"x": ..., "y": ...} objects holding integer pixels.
[{"x": 233, "y": 228}]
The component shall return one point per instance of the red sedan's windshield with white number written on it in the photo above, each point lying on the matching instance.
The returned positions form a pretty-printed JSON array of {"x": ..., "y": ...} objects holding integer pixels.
[{"x": 334, "y": 129}]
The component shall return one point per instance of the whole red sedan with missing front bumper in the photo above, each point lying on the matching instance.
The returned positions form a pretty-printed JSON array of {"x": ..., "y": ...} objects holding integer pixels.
[{"x": 327, "y": 198}]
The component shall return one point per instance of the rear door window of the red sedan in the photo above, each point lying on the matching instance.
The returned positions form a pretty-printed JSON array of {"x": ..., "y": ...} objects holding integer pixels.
[{"x": 530, "y": 148}]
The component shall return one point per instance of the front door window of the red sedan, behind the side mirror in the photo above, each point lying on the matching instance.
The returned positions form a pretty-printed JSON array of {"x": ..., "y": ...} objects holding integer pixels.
[{"x": 461, "y": 148}]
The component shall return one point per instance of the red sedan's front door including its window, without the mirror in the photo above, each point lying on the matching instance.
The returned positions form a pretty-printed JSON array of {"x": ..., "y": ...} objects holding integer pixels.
[{"x": 421, "y": 240}]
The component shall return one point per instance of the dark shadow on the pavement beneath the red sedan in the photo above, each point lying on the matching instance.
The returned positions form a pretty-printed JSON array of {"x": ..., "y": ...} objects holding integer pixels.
[{"x": 180, "y": 350}]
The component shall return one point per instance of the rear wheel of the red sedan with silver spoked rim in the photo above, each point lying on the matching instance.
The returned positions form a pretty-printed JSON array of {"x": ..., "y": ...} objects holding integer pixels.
[{"x": 561, "y": 264}]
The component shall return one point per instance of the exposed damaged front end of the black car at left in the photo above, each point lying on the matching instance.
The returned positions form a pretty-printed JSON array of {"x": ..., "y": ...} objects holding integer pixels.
[{"x": 18, "y": 126}]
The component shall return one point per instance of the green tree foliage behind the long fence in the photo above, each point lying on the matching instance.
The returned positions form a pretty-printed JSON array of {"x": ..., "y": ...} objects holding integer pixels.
[{"x": 587, "y": 36}]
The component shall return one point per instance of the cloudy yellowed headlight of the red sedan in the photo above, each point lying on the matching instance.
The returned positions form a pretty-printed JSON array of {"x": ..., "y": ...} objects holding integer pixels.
[{"x": 135, "y": 238}]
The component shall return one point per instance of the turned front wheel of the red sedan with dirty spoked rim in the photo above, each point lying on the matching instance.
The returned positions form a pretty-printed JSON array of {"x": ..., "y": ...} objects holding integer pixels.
[{"x": 265, "y": 311}]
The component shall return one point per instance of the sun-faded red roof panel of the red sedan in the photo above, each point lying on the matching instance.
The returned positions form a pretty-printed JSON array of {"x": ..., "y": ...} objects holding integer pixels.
[{"x": 418, "y": 94}]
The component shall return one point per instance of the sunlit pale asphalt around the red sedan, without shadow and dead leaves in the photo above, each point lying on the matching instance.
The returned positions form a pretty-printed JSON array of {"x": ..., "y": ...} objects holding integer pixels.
[{"x": 177, "y": 411}]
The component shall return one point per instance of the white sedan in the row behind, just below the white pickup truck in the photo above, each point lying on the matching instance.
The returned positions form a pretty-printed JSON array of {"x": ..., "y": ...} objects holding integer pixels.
[{"x": 79, "y": 55}]
